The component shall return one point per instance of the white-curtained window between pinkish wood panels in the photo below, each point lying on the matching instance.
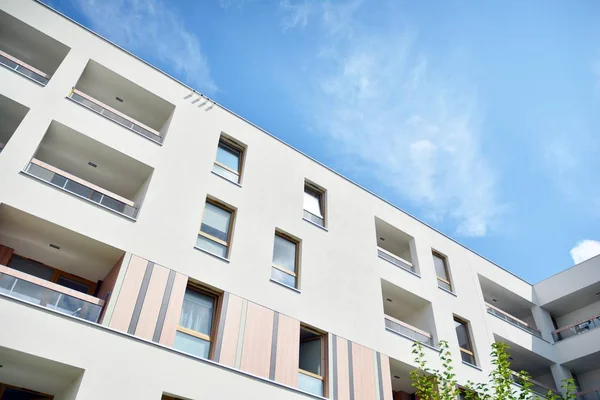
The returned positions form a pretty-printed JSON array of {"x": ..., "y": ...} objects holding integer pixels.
[{"x": 195, "y": 331}]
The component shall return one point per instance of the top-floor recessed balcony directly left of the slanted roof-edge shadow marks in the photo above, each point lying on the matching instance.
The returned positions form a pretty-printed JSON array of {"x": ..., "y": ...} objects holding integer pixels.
[{"x": 123, "y": 102}]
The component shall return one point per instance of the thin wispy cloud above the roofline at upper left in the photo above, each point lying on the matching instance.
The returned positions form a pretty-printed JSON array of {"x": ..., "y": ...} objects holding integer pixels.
[{"x": 152, "y": 30}]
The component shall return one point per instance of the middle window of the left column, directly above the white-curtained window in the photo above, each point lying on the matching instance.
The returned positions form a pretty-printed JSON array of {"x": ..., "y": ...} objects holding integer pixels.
[{"x": 215, "y": 230}]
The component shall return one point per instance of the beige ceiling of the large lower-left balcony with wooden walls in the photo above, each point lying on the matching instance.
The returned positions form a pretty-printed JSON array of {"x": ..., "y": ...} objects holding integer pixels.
[{"x": 31, "y": 237}]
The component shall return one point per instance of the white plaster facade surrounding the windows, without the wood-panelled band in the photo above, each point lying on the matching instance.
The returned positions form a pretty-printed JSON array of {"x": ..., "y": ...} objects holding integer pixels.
[{"x": 343, "y": 285}]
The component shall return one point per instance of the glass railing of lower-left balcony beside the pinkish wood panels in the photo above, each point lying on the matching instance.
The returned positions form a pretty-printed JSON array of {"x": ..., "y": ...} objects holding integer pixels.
[{"x": 50, "y": 295}]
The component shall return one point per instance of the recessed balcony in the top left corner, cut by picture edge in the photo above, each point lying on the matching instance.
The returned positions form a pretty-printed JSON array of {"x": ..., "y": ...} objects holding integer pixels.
[{"x": 27, "y": 51}]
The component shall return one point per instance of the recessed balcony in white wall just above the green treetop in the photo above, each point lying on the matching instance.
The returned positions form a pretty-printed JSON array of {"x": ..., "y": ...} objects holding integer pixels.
[{"x": 407, "y": 315}]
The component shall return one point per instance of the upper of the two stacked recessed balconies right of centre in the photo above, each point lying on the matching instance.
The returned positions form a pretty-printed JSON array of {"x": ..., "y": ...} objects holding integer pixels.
[{"x": 395, "y": 246}]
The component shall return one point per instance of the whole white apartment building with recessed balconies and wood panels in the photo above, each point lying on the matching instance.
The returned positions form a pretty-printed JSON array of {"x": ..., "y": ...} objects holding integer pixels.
[{"x": 154, "y": 245}]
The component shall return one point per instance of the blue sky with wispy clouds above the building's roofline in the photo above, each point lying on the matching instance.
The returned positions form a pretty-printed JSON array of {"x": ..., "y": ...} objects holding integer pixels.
[{"x": 480, "y": 118}]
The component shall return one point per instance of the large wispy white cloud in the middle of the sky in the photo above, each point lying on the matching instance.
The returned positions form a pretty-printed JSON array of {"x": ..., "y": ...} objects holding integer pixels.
[{"x": 393, "y": 116}]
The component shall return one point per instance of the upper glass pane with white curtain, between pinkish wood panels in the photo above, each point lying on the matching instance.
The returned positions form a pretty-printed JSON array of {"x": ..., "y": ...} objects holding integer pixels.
[{"x": 197, "y": 312}]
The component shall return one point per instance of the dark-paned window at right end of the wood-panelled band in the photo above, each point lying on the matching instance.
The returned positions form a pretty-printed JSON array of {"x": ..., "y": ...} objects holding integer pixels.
[{"x": 311, "y": 366}]
